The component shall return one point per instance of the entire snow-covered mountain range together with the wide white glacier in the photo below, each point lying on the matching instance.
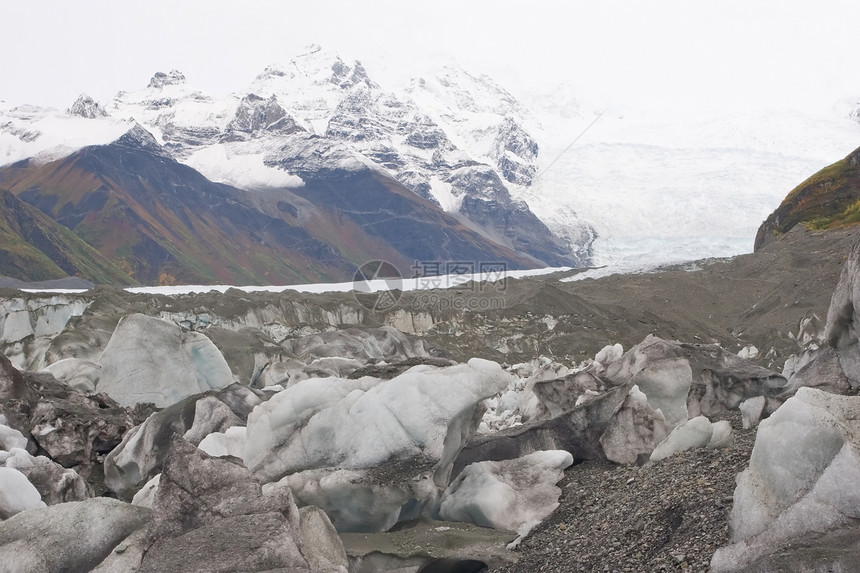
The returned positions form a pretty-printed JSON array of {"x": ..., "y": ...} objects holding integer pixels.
[{"x": 544, "y": 175}]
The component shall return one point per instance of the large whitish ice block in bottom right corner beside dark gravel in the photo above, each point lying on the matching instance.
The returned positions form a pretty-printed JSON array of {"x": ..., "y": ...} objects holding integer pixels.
[{"x": 801, "y": 480}]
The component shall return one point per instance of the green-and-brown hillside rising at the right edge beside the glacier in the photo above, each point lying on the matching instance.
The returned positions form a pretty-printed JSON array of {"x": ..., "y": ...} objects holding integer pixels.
[{"x": 828, "y": 199}]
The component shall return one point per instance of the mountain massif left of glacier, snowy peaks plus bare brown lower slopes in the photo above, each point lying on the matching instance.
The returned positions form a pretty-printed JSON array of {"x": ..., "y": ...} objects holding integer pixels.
[{"x": 313, "y": 145}]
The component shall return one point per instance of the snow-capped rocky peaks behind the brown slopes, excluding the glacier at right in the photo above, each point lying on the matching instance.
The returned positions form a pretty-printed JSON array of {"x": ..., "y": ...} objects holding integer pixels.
[{"x": 462, "y": 152}]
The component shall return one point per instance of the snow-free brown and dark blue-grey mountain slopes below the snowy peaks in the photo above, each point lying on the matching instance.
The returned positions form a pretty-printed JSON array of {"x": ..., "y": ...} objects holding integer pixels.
[{"x": 164, "y": 222}]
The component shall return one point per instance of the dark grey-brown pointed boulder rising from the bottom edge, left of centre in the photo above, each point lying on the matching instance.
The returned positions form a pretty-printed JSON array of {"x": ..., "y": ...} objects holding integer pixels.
[{"x": 212, "y": 513}]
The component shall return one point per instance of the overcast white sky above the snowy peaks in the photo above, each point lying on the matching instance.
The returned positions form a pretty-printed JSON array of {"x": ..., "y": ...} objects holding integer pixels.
[{"x": 659, "y": 53}]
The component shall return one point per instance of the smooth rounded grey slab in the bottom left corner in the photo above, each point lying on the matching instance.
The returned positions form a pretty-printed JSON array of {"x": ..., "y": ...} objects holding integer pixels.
[{"x": 74, "y": 536}]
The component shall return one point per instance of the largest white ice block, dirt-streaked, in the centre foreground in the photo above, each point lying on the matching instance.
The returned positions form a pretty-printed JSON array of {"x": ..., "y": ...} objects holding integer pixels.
[{"x": 371, "y": 452}]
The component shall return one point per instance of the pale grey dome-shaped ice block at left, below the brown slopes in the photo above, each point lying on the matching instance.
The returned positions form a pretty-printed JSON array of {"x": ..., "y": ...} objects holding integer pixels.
[{"x": 149, "y": 360}]
